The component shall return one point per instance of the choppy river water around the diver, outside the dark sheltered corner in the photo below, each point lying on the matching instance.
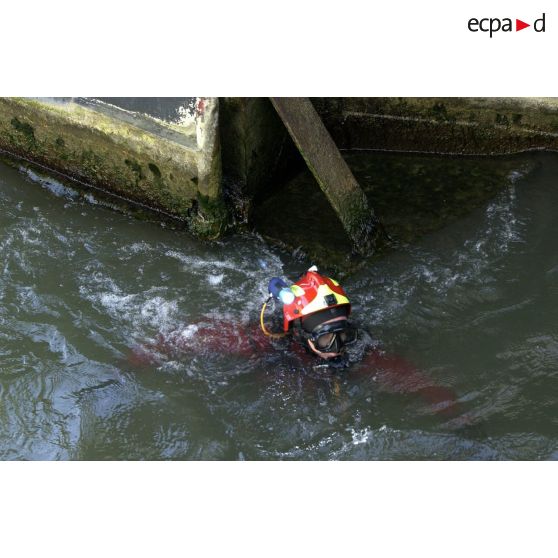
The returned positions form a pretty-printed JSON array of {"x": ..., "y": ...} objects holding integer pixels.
[{"x": 87, "y": 292}]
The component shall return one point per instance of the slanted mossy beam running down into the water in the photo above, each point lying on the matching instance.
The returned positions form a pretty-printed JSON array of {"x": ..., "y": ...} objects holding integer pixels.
[{"x": 330, "y": 170}]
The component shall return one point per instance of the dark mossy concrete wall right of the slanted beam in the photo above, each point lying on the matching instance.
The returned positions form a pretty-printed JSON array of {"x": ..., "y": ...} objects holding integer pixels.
[{"x": 460, "y": 125}]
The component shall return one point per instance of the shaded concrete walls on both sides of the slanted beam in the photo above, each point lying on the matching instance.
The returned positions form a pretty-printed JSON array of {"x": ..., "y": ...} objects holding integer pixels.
[{"x": 256, "y": 149}]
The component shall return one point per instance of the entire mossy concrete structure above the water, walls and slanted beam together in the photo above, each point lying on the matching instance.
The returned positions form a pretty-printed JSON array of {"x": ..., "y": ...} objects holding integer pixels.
[{"x": 213, "y": 162}]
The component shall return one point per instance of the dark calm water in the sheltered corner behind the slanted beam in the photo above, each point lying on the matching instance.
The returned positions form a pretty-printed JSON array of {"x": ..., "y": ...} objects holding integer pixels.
[{"x": 412, "y": 194}]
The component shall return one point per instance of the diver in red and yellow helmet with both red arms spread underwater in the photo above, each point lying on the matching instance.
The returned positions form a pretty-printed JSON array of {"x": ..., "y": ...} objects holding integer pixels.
[{"x": 315, "y": 313}]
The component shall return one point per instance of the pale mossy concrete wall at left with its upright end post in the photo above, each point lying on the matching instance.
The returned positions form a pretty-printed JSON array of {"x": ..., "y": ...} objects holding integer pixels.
[{"x": 182, "y": 179}]
